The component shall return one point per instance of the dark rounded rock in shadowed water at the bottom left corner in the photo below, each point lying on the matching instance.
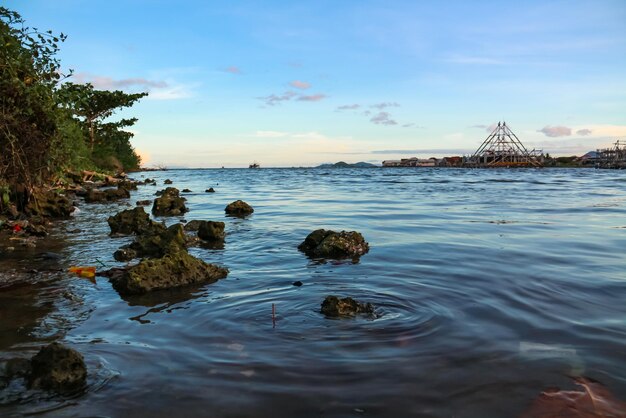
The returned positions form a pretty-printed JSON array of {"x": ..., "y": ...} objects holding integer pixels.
[{"x": 58, "y": 368}]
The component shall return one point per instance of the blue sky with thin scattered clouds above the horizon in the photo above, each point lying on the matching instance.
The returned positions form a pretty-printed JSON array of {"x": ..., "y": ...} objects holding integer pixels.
[{"x": 309, "y": 82}]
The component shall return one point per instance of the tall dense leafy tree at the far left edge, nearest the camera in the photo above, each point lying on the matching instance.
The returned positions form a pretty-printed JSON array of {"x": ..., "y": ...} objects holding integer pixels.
[{"x": 29, "y": 73}]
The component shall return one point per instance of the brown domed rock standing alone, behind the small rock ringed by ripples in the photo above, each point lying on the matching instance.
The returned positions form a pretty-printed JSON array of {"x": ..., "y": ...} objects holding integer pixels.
[{"x": 331, "y": 244}]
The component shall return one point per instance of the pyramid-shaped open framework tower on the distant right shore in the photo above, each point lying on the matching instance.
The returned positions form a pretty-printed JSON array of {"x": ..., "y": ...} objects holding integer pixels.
[{"x": 502, "y": 148}]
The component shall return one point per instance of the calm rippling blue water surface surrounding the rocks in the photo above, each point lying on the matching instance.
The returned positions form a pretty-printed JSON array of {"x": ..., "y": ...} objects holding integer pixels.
[{"x": 490, "y": 286}]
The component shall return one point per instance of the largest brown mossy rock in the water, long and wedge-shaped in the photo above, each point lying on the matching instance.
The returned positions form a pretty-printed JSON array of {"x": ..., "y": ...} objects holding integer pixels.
[{"x": 172, "y": 270}]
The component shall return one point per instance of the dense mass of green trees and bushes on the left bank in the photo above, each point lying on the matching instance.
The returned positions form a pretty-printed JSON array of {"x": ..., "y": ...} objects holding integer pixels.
[{"x": 46, "y": 128}]
